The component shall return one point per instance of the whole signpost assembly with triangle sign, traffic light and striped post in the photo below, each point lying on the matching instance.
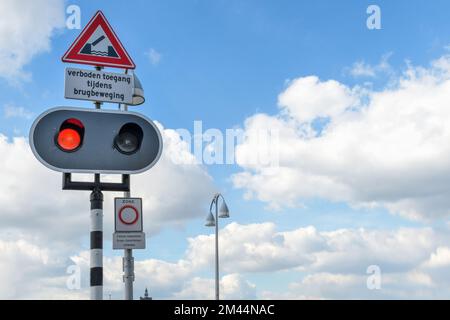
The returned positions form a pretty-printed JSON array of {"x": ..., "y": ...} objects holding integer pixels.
[{"x": 78, "y": 140}]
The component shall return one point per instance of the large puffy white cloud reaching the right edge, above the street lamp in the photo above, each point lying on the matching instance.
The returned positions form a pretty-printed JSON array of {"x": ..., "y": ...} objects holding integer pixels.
[{"x": 389, "y": 149}]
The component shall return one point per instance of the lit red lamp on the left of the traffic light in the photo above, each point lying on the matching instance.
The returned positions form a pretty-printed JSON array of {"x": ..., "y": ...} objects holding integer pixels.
[{"x": 70, "y": 135}]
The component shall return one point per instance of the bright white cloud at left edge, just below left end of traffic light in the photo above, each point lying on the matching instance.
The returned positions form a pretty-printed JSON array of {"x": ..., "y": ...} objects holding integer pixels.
[{"x": 33, "y": 202}]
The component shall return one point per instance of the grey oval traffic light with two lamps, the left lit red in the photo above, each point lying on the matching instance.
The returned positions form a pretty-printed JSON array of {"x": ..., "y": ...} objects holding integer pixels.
[{"x": 95, "y": 141}]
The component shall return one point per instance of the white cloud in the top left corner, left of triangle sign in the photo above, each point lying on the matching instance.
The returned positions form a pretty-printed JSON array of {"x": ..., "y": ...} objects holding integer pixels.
[{"x": 25, "y": 31}]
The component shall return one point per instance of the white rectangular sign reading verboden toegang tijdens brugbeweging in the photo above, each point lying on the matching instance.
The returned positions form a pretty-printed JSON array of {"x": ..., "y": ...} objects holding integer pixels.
[{"x": 96, "y": 85}]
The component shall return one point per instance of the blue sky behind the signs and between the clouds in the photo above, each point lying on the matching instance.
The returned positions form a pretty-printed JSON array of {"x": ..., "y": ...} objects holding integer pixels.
[{"x": 222, "y": 62}]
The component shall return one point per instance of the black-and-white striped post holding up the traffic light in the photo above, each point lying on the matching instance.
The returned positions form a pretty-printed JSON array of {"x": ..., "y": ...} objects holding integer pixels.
[{"x": 96, "y": 259}]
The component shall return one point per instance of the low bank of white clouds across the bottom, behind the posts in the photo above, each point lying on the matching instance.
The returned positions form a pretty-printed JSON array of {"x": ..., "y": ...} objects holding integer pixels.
[{"x": 325, "y": 265}]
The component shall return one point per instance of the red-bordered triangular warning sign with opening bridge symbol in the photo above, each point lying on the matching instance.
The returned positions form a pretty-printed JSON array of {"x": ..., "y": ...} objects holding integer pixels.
[{"x": 98, "y": 45}]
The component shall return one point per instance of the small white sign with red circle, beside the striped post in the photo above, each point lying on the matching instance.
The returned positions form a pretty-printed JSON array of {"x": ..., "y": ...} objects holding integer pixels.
[{"x": 128, "y": 214}]
